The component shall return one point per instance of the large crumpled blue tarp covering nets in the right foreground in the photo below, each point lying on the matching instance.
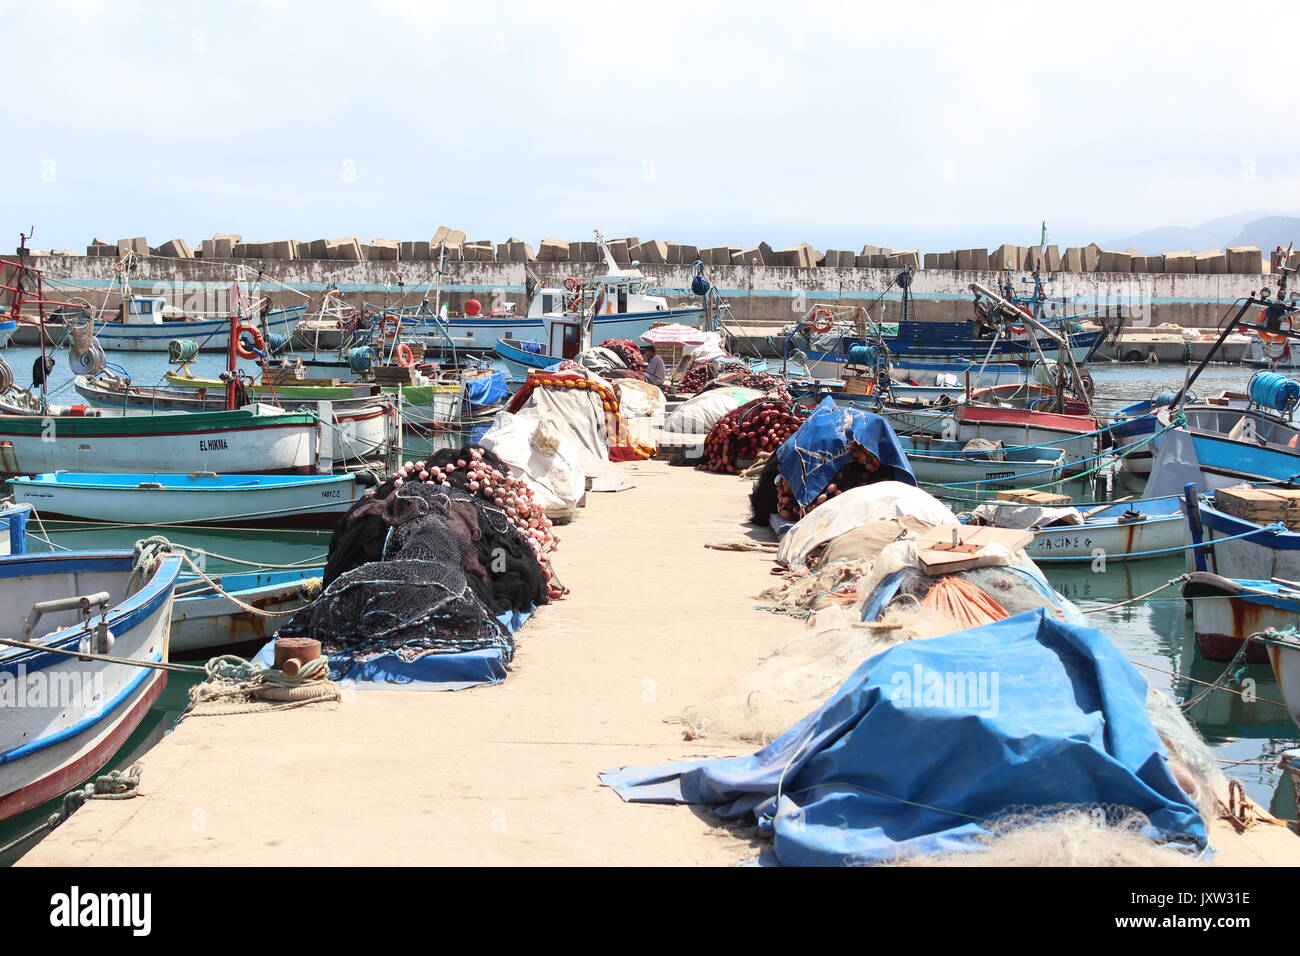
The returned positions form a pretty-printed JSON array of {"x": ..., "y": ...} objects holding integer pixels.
[{"x": 896, "y": 764}]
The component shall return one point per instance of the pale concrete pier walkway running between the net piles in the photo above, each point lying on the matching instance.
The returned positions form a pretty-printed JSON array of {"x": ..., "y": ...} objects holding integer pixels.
[{"x": 504, "y": 775}]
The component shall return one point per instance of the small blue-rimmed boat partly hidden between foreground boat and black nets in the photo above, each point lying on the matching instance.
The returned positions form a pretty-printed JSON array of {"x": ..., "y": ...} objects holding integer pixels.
[{"x": 207, "y": 620}]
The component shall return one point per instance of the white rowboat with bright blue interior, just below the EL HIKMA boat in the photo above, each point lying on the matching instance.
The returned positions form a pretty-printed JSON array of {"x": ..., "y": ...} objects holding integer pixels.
[{"x": 253, "y": 501}]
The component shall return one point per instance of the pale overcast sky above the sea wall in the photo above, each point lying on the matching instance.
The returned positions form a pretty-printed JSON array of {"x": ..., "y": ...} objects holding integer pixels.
[{"x": 934, "y": 126}]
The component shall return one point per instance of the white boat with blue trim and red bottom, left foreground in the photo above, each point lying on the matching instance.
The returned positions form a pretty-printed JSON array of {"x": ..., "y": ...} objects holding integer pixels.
[{"x": 63, "y": 717}]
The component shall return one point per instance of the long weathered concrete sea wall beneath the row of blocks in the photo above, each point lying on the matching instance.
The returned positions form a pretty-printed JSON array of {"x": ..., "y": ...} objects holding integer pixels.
[{"x": 756, "y": 293}]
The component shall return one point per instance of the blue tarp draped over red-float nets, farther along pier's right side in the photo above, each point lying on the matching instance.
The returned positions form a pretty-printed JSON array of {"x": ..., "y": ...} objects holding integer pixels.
[{"x": 811, "y": 458}]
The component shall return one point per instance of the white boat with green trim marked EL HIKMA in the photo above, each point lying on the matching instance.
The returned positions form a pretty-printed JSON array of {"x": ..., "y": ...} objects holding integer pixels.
[{"x": 254, "y": 440}]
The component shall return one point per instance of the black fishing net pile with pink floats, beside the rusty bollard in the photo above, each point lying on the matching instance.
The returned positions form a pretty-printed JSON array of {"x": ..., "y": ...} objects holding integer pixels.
[{"x": 430, "y": 560}]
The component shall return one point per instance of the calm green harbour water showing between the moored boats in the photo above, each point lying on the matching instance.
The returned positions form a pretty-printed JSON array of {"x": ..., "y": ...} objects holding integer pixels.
[{"x": 1245, "y": 732}]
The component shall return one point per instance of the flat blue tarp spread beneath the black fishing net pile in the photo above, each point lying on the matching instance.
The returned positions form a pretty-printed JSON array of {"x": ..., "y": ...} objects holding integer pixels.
[{"x": 427, "y": 673}]
